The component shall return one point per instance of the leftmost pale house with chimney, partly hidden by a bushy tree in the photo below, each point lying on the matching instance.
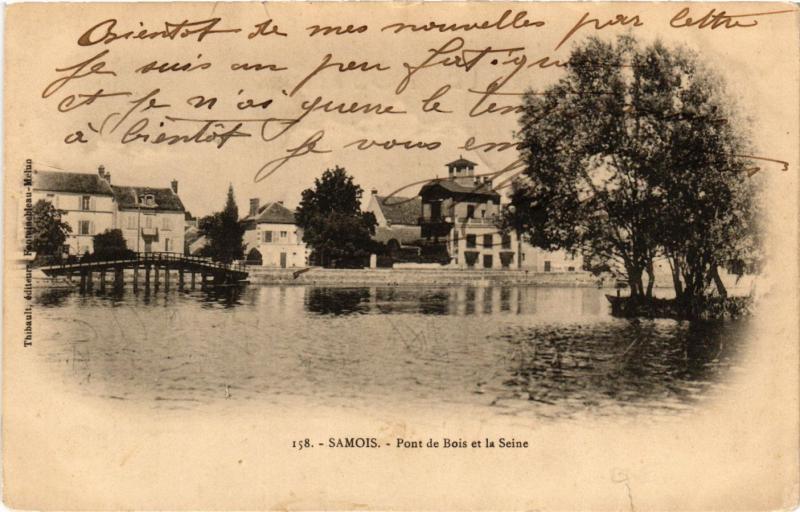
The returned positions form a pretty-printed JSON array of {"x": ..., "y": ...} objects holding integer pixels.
[{"x": 87, "y": 201}]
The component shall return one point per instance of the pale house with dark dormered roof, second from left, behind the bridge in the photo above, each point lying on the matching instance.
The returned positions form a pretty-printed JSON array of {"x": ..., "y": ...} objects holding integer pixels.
[{"x": 151, "y": 219}]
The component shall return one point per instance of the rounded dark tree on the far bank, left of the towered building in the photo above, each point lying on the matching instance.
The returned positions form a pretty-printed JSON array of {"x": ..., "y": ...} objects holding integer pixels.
[{"x": 334, "y": 226}]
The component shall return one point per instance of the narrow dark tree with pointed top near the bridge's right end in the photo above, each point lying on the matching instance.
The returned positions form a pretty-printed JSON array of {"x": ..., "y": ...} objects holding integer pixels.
[{"x": 224, "y": 232}]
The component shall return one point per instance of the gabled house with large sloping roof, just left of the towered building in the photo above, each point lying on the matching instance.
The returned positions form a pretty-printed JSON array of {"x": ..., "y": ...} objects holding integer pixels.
[{"x": 398, "y": 219}]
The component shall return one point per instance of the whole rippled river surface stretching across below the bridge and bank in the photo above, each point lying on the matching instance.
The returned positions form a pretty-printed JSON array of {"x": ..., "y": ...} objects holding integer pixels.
[{"x": 553, "y": 352}]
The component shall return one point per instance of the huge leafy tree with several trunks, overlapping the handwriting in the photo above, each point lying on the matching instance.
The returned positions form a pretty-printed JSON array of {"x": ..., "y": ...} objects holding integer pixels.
[{"x": 633, "y": 155}]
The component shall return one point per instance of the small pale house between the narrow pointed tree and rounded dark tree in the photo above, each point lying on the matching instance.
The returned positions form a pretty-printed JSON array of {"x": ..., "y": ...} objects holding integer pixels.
[{"x": 271, "y": 230}]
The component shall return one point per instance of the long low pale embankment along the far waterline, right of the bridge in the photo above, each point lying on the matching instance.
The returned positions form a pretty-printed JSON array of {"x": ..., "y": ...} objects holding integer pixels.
[{"x": 398, "y": 277}]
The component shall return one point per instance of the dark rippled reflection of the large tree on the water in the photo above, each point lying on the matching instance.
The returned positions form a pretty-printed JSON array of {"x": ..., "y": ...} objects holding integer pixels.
[{"x": 628, "y": 362}]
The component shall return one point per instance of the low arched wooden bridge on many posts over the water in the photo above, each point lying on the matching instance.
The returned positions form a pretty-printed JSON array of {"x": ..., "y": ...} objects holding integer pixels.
[{"x": 155, "y": 268}]
